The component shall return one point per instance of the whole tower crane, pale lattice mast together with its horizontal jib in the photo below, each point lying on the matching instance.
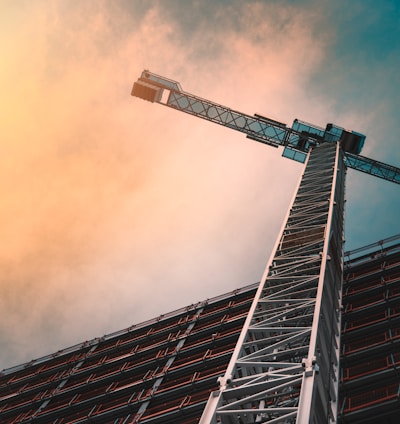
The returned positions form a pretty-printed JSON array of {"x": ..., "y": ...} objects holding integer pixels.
[{"x": 285, "y": 366}]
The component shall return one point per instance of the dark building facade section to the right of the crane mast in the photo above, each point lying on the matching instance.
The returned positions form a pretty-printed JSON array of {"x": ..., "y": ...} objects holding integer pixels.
[{"x": 370, "y": 337}]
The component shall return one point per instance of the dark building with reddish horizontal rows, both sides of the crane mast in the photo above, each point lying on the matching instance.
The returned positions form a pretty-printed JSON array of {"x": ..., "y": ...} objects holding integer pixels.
[{"x": 163, "y": 370}]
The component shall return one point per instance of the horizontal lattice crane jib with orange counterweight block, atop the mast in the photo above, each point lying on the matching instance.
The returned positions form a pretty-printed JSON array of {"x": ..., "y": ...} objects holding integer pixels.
[{"x": 296, "y": 140}]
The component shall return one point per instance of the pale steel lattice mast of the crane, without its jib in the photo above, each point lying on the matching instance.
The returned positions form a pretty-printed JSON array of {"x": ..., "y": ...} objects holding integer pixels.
[{"x": 285, "y": 366}]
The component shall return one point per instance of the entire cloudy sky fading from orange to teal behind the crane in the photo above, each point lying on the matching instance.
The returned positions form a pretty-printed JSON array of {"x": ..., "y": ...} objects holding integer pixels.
[{"x": 115, "y": 210}]
